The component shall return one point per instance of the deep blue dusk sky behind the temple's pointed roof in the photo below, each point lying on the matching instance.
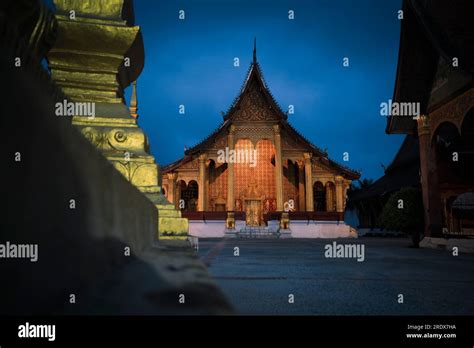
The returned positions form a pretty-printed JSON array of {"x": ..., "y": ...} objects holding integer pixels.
[{"x": 190, "y": 62}]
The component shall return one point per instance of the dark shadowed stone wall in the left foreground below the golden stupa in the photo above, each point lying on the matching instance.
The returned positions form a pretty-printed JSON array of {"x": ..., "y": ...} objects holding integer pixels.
[{"x": 76, "y": 247}]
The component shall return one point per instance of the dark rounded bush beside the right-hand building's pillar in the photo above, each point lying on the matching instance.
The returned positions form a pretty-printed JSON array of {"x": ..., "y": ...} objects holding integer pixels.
[{"x": 404, "y": 212}]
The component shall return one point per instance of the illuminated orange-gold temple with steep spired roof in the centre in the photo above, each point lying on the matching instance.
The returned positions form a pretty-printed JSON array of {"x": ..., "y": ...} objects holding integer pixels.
[{"x": 255, "y": 167}]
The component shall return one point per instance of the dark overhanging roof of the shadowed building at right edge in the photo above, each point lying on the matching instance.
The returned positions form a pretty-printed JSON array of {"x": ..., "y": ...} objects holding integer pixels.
[{"x": 437, "y": 31}]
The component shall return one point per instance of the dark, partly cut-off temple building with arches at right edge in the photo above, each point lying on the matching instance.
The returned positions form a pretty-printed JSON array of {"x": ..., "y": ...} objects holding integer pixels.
[{"x": 440, "y": 78}]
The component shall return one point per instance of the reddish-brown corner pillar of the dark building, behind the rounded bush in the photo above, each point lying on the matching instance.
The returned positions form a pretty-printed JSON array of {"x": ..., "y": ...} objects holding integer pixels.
[{"x": 429, "y": 180}]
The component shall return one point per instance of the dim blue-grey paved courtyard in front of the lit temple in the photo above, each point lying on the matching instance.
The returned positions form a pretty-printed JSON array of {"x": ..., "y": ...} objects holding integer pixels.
[{"x": 261, "y": 279}]
